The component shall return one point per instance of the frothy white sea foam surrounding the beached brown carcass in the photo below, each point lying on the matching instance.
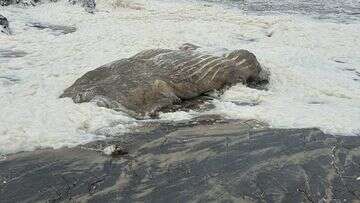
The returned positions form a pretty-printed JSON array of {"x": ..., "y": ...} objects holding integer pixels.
[{"x": 312, "y": 52}]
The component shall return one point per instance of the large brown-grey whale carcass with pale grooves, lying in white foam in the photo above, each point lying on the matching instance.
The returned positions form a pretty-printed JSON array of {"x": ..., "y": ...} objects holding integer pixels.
[{"x": 158, "y": 78}]
